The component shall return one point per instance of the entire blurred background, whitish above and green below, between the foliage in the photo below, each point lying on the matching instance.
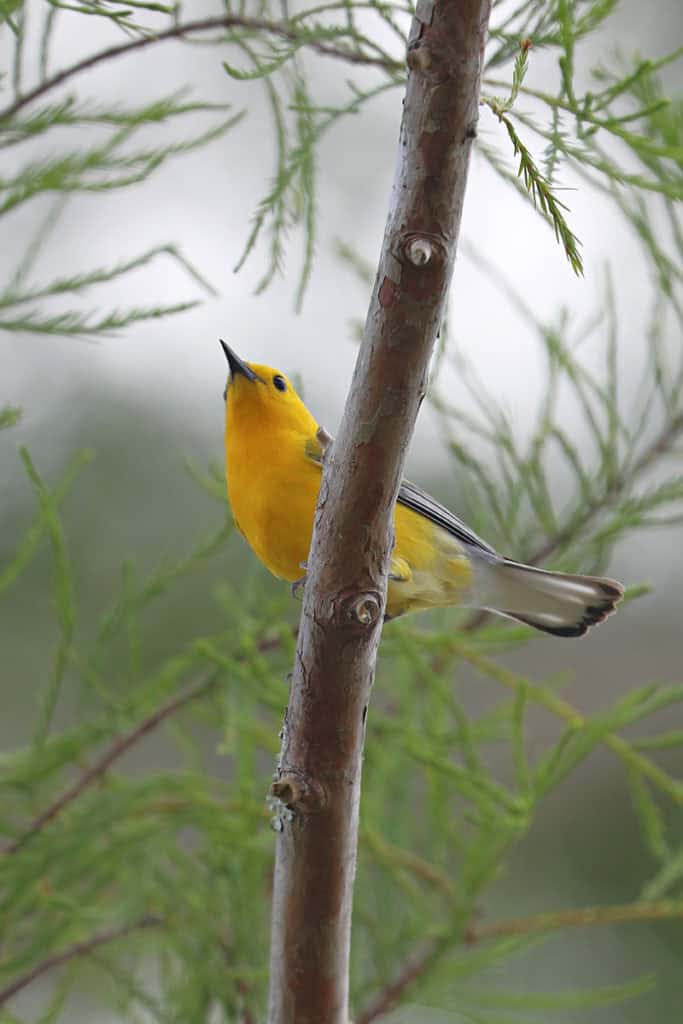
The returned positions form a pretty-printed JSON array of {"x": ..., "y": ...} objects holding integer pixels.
[{"x": 149, "y": 402}]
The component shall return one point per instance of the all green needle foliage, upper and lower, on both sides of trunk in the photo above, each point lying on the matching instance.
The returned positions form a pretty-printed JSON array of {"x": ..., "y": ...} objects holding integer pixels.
[{"x": 154, "y": 885}]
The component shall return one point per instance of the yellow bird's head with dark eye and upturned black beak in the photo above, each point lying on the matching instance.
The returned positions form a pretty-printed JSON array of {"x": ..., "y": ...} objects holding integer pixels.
[{"x": 257, "y": 395}]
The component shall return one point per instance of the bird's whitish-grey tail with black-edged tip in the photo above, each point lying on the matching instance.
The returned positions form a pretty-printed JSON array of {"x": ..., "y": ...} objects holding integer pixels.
[{"x": 556, "y": 603}]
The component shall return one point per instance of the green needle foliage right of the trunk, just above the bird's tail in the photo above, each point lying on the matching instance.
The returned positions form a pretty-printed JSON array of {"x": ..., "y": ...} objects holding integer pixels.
[{"x": 609, "y": 468}]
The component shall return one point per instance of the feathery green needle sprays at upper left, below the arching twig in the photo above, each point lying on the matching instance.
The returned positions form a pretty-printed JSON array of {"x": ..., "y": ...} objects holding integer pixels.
[{"x": 110, "y": 164}]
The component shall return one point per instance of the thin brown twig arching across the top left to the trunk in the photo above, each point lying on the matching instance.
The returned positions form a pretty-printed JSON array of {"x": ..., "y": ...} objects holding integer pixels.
[{"x": 190, "y": 28}]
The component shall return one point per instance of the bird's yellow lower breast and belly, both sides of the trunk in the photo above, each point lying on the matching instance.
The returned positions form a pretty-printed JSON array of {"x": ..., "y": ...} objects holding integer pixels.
[{"x": 276, "y": 516}]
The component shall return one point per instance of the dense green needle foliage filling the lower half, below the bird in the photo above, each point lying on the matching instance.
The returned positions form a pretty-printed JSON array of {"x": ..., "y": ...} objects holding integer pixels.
[{"x": 95, "y": 854}]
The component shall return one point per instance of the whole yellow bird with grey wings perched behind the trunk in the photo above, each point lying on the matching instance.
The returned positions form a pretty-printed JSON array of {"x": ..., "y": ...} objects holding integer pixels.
[{"x": 274, "y": 462}]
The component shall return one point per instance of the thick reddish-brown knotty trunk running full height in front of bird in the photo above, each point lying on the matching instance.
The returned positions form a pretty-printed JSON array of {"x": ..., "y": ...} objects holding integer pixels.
[{"x": 319, "y": 778}]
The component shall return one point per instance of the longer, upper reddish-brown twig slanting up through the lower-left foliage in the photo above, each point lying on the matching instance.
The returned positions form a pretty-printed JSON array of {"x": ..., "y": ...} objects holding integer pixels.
[{"x": 112, "y": 754}]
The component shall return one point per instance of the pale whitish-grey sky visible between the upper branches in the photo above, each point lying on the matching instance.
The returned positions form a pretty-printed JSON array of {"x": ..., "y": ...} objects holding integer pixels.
[{"x": 205, "y": 202}]
